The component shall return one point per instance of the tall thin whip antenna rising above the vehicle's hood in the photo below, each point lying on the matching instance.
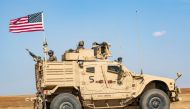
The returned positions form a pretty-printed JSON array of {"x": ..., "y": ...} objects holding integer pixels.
[{"x": 139, "y": 42}]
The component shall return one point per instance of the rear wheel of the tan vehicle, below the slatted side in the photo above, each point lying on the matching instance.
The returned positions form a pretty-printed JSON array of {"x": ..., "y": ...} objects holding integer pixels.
[{"x": 65, "y": 101}]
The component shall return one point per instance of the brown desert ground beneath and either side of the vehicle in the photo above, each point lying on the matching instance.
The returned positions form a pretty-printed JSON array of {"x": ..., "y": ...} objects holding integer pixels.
[{"x": 18, "y": 102}]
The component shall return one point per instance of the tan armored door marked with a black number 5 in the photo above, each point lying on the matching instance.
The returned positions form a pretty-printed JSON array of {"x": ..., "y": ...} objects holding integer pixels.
[{"x": 93, "y": 78}]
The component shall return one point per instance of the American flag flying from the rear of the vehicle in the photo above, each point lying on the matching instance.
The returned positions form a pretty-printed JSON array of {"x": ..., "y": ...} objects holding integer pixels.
[{"x": 29, "y": 23}]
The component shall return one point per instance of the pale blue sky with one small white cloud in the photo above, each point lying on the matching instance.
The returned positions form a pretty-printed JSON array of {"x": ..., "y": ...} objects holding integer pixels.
[{"x": 149, "y": 34}]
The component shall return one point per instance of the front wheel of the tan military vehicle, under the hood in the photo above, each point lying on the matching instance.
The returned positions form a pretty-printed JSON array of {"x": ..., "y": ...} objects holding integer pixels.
[{"x": 154, "y": 99}]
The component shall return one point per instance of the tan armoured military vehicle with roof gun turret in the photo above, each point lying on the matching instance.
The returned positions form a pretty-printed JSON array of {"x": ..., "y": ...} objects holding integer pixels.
[{"x": 86, "y": 78}]
